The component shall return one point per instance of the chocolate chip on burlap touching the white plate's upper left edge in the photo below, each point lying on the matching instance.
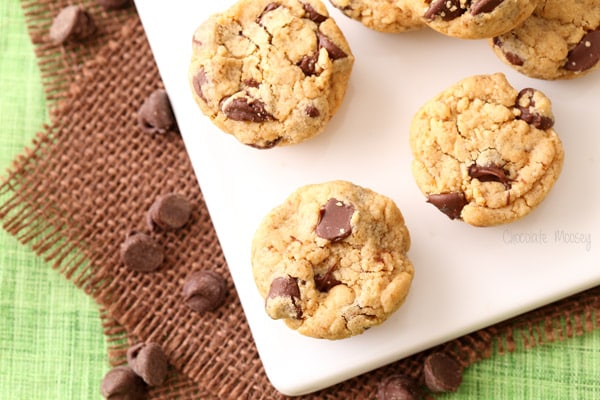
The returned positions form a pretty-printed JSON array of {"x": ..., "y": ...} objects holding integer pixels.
[{"x": 155, "y": 114}]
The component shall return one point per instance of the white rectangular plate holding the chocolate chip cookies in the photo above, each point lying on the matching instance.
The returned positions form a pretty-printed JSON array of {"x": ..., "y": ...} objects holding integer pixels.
[{"x": 466, "y": 278}]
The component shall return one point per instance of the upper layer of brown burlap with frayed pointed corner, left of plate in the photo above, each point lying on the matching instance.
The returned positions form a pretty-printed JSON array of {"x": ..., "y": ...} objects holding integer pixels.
[{"x": 89, "y": 179}]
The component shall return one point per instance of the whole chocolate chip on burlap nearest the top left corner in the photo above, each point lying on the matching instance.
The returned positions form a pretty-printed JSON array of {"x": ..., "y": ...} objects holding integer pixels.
[{"x": 72, "y": 23}]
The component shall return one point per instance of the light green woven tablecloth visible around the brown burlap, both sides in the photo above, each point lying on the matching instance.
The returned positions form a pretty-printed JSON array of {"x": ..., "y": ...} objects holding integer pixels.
[{"x": 51, "y": 340}]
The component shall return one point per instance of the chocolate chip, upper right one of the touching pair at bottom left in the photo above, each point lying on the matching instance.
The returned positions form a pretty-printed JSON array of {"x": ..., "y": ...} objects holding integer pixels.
[{"x": 148, "y": 361}]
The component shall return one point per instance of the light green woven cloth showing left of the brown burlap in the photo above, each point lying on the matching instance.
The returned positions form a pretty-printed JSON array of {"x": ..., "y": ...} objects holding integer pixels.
[{"x": 51, "y": 341}]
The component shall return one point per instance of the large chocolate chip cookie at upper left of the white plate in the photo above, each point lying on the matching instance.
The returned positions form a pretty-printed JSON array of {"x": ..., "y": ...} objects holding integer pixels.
[{"x": 270, "y": 73}]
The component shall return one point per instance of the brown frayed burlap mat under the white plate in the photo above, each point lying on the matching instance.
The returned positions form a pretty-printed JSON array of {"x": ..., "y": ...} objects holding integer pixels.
[{"x": 89, "y": 179}]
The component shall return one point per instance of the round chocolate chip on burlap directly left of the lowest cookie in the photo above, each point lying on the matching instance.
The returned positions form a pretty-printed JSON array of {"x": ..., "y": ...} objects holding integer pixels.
[{"x": 204, "y": 291}]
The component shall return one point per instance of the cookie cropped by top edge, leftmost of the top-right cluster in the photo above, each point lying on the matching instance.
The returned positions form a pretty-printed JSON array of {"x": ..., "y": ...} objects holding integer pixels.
[{"x": 391, "y": 16}]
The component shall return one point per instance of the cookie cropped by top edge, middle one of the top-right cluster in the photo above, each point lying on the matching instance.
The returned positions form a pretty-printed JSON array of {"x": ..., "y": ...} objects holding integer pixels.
[{"x": 474, "y": 19}]
